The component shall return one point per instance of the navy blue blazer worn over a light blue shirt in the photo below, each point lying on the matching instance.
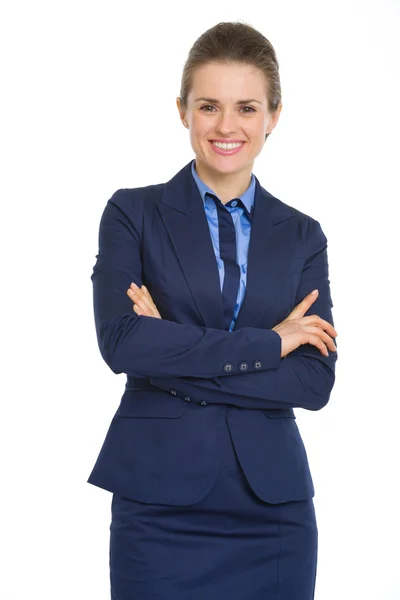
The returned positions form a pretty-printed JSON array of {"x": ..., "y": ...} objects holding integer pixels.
[{"x": 185, "y": 373}]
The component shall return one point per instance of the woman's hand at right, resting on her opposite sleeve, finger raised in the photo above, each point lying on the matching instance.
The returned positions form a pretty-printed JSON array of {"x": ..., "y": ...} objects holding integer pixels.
[{"x": 297, "y": 329}]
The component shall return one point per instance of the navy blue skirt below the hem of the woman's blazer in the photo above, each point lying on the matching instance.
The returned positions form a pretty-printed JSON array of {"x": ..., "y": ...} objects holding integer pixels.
[{"x": 230, "y": 545}]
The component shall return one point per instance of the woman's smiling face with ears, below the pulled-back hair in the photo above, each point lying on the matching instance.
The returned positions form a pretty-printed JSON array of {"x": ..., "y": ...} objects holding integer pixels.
[{"x": 227, "y": 116}]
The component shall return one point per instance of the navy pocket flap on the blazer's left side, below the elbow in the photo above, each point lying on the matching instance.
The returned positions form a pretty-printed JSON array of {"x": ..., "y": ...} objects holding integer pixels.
[{"x": 148, "y": 404}]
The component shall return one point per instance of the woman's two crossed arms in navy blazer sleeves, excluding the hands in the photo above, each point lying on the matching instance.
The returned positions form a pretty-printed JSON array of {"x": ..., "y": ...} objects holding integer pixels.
[{"x": 187, "y": 358}]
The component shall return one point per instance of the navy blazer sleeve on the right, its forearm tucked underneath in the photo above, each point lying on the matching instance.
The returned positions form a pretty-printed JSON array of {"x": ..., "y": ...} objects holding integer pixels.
[{"x": 304, "y": 378}]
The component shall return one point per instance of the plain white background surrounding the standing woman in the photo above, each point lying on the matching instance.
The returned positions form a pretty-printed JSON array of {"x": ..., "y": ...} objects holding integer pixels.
[{"x": 88, "y": 106}]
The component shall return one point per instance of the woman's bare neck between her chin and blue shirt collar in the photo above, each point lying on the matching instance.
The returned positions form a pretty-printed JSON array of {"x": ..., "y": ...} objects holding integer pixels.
[{"x": 225, "y": 185}]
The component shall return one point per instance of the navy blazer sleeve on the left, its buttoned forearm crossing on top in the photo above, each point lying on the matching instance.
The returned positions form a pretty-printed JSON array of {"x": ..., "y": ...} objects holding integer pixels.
[{"x": 145, "y": 346}]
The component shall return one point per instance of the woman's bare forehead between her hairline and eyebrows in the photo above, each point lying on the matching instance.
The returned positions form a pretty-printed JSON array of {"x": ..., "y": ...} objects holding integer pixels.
[{"x": 227, "y": 81}]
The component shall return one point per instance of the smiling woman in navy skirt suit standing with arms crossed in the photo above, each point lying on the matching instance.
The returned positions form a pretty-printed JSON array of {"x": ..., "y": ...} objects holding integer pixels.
[{"x": 212, "y": 493}]
